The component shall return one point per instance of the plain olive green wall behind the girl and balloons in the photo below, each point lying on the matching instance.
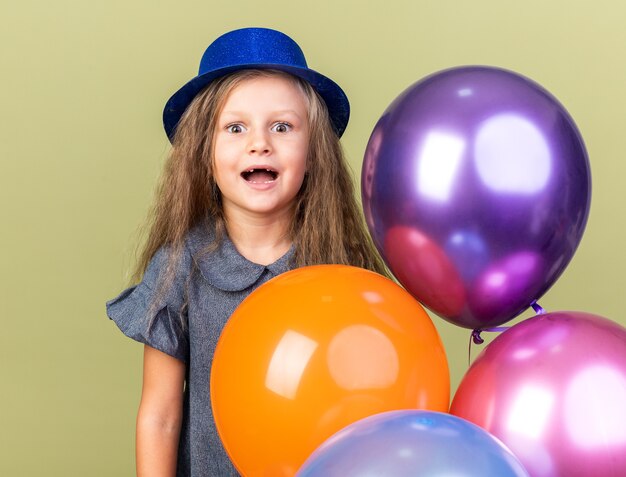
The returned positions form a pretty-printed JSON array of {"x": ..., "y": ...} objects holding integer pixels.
[{"x": 82, "y": 89}]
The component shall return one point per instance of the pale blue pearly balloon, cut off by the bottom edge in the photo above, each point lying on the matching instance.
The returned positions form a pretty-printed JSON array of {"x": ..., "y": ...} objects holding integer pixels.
[{"x": 412, "y": 443}]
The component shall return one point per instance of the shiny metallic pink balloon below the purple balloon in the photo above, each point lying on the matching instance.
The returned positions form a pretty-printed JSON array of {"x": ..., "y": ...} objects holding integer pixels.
[{"x": 553, "y": 389}]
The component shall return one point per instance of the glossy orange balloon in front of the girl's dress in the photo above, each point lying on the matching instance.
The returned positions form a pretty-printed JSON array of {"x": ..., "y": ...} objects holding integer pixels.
[{"x": 314, "y": 350}]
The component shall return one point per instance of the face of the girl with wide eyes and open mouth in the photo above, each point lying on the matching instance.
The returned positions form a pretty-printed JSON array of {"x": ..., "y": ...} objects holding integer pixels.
[{"x": 261, "y": 147}]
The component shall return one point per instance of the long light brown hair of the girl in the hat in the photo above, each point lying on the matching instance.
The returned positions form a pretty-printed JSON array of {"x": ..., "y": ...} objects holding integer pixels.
[{"x": 327, "y": 225}]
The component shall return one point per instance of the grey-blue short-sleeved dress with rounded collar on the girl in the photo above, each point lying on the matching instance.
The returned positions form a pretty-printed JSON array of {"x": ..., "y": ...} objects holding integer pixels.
[{"x": 215, "y": 284}]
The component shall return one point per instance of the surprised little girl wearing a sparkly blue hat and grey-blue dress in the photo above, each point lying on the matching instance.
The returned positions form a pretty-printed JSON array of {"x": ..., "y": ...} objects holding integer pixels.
[{"x": 255, "y": 184}]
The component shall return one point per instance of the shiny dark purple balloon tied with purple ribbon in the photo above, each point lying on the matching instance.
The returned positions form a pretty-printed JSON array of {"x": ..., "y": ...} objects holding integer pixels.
[{"x": 489, "y": 167}]
